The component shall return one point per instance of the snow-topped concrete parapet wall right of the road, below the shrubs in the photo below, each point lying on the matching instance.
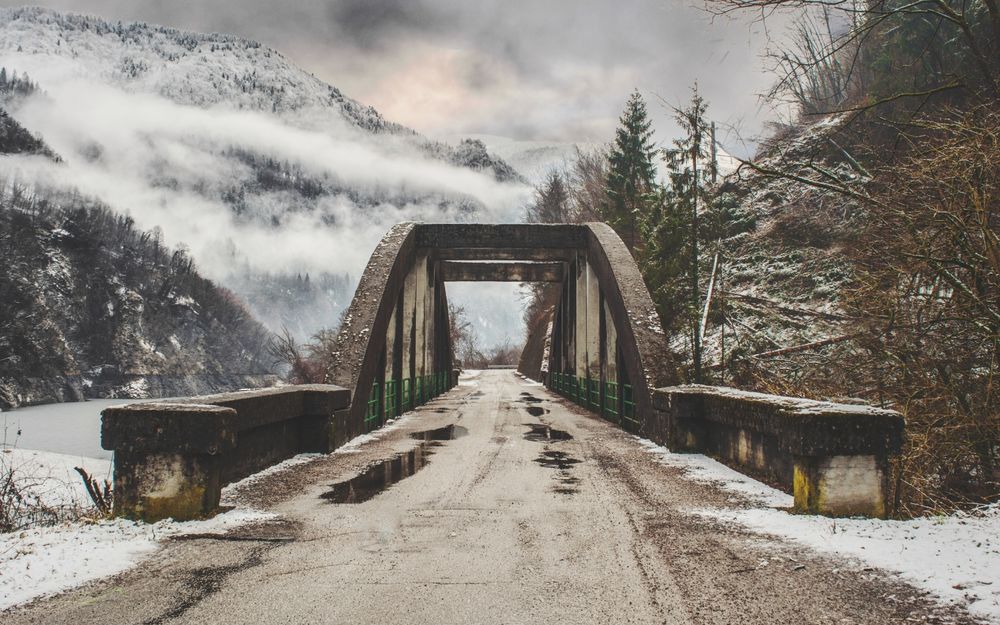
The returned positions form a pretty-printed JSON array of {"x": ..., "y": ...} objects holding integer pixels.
[{"x": 832, "y": 457}]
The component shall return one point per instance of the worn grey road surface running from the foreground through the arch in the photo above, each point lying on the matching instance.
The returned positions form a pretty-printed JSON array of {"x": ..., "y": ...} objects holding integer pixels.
[{"x": 485, "y": 533}]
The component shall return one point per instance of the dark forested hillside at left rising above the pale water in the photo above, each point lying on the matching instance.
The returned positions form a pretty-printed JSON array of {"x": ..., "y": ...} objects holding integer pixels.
[{"x": 91, "y": 306}]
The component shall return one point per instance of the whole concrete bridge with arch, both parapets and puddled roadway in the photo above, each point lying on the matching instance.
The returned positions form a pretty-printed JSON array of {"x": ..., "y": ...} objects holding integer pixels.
[{"x": 487, "y": 496}]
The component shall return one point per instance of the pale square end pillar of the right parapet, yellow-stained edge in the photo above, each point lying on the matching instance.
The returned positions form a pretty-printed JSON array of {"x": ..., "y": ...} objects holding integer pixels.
[{"x": 840, "y": 485}]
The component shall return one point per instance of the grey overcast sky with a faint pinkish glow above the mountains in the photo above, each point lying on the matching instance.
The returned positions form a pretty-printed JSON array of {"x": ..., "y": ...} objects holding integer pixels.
[{"x": 527, "y": 69}]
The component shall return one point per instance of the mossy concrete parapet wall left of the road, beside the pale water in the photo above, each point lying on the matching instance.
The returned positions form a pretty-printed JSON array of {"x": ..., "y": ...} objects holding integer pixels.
[{"x": 173, "y": 458}]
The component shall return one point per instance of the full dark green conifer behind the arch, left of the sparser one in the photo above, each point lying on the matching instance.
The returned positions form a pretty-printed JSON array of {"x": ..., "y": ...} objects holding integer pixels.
[{"x": 631, "y": 183}]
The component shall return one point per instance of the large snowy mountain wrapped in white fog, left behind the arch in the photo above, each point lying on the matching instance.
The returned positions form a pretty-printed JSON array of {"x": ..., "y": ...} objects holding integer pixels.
[{"x": 263, "y": 172}]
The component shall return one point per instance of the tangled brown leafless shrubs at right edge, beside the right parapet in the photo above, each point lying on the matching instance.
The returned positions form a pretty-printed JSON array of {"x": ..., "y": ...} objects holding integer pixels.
[{"x": 929, "y": 290}]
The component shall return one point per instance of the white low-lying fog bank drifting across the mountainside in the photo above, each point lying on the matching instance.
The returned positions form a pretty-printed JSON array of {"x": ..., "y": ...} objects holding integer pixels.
[{"x": 168, "y": 164}]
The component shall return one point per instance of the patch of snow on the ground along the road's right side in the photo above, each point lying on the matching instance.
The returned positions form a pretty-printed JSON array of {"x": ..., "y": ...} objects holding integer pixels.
[{"x": 955, "y": 557}]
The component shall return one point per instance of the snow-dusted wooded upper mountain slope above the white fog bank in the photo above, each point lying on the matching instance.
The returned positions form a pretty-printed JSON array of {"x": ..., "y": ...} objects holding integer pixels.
[{"x": 188, "y": 68}]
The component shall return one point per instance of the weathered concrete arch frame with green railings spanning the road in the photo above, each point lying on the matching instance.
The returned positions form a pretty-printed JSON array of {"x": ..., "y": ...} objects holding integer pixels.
[{"x": 393, "y": 349}]
